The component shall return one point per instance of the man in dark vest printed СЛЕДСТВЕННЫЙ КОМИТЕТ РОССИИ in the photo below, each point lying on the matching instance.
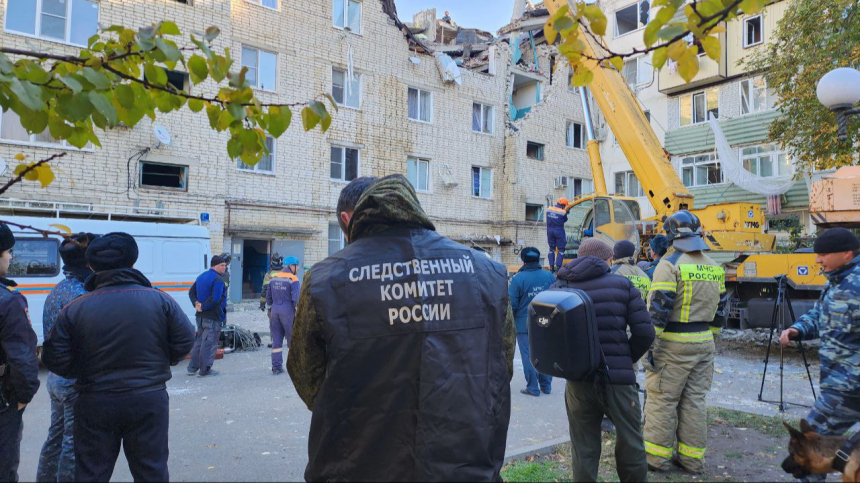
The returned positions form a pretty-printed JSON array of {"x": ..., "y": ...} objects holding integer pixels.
[{"x": 403, "y": 348}]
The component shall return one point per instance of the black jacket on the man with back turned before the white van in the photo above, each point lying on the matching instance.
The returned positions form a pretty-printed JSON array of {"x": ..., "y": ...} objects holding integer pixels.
[{"x": 121, "y": 337}]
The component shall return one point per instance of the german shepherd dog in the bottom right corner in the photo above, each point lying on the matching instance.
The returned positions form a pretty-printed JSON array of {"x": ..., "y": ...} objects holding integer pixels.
[{"x": 811, "y": 453}]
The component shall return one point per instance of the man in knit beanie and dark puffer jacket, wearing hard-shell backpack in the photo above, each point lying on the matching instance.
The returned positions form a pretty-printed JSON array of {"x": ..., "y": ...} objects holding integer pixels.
[{"x": 618, "y": 306}]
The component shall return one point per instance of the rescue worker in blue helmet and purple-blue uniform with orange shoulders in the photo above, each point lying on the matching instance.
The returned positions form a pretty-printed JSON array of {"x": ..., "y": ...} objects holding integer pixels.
[{"x": 282, "y": 296}]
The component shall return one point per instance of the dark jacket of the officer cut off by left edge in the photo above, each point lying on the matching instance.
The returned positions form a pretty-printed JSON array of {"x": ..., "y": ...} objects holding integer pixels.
[{"x": 17, "y": 347}]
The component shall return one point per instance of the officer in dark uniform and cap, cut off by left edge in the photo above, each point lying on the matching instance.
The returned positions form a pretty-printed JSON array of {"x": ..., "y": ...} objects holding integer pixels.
[{"x": 19, "y": 367}]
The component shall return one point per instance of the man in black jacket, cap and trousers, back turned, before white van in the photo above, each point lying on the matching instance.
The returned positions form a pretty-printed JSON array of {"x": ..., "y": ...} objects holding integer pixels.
[{"x": 119, "y": 342}]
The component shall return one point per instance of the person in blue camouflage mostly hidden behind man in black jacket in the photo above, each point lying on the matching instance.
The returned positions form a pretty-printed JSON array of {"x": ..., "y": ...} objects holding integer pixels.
[{"x": 57, "y": 460}]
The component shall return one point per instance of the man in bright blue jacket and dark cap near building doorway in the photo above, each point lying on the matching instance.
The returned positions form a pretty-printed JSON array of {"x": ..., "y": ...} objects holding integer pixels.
[{"x": 209, "y": 296}]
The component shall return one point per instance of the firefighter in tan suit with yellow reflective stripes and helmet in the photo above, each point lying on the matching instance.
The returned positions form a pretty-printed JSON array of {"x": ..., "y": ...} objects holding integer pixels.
[{"x": 687, "y": 306}]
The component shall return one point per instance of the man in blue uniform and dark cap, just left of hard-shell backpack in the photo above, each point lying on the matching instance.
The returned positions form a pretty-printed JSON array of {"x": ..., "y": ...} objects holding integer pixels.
[{"x": 531, "y": 280}]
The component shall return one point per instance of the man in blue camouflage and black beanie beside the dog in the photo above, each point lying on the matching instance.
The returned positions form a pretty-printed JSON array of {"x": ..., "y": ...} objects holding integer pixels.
[{"x": 834, "y": 319}]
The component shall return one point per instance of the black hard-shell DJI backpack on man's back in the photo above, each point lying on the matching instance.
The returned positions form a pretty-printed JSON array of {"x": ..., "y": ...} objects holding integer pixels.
[{"x": 563, "y": 336}]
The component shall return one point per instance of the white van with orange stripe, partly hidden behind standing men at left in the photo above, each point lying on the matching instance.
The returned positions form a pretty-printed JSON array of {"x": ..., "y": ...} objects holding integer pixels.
[{"x": 171, "y": 257}]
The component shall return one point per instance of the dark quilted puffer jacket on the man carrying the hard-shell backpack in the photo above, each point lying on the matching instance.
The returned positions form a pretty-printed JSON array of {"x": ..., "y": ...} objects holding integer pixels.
[{"x": 617, "y": 305}]
